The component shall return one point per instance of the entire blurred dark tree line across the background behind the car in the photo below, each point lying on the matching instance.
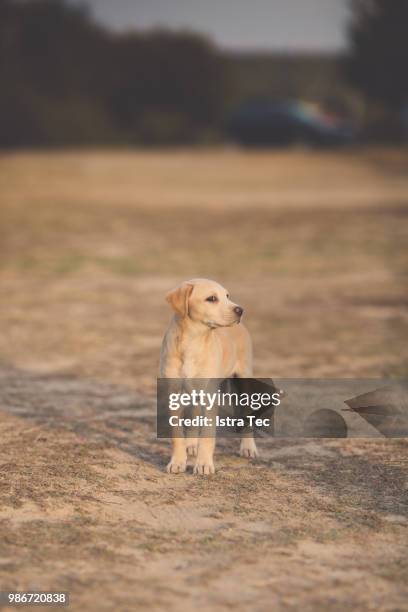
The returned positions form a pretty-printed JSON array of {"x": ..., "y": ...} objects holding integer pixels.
[{"x": 66, "y": 80}]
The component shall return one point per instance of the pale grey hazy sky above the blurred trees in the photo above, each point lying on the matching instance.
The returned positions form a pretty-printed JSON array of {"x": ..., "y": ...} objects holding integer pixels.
[{"x": 237, "y": 24}]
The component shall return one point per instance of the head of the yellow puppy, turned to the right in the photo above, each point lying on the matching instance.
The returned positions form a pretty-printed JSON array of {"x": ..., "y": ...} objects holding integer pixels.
[{"x": 206, "y": 302}]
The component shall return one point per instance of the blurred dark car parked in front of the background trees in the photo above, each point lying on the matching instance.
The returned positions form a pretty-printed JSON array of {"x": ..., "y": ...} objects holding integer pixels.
[{"x": 280, "y": 124}]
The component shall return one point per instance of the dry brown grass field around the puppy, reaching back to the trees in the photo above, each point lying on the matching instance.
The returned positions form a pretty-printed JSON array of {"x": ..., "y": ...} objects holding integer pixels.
[{"x": 314, "y": 246}]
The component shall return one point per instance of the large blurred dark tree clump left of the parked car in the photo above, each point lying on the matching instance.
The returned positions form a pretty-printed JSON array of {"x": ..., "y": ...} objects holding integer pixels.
[{"x": 66, "y": 80}]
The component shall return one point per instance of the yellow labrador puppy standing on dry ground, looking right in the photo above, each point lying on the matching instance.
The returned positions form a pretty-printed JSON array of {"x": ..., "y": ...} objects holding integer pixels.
[{"x": 205, "y": 339}]
